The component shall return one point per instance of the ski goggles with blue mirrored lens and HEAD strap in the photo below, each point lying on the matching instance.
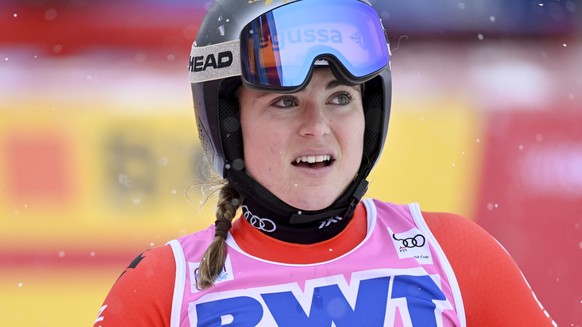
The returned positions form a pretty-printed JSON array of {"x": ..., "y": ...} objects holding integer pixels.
[{"x": 277, "y": 50}]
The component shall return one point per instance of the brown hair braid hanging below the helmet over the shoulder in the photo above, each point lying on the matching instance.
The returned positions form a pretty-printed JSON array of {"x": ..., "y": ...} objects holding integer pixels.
[{"x": 229, "y": 200}]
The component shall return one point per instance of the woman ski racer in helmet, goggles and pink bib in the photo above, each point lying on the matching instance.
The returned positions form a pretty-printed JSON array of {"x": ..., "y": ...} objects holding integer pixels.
[{"x": 292, "y": 101}]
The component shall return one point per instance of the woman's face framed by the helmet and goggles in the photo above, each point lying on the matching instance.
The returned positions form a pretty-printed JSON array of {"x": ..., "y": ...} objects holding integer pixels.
[{"x": 304, "y": 147}]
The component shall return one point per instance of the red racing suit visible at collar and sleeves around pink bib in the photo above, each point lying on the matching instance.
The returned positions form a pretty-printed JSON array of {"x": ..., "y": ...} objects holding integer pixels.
[{"x": 494, "y": 291}]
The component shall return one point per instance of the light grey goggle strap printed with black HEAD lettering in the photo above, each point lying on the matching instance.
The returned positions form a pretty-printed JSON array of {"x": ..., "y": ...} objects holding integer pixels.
[{"x": 216, "y": 61}]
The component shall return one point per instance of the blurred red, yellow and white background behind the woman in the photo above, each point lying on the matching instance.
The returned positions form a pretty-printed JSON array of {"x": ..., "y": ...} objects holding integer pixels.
[{"x": 99, "y": 157}]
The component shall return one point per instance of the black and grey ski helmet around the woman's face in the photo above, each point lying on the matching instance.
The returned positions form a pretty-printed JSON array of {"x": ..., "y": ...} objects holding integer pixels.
[{"x": 215, "y": 76}]
